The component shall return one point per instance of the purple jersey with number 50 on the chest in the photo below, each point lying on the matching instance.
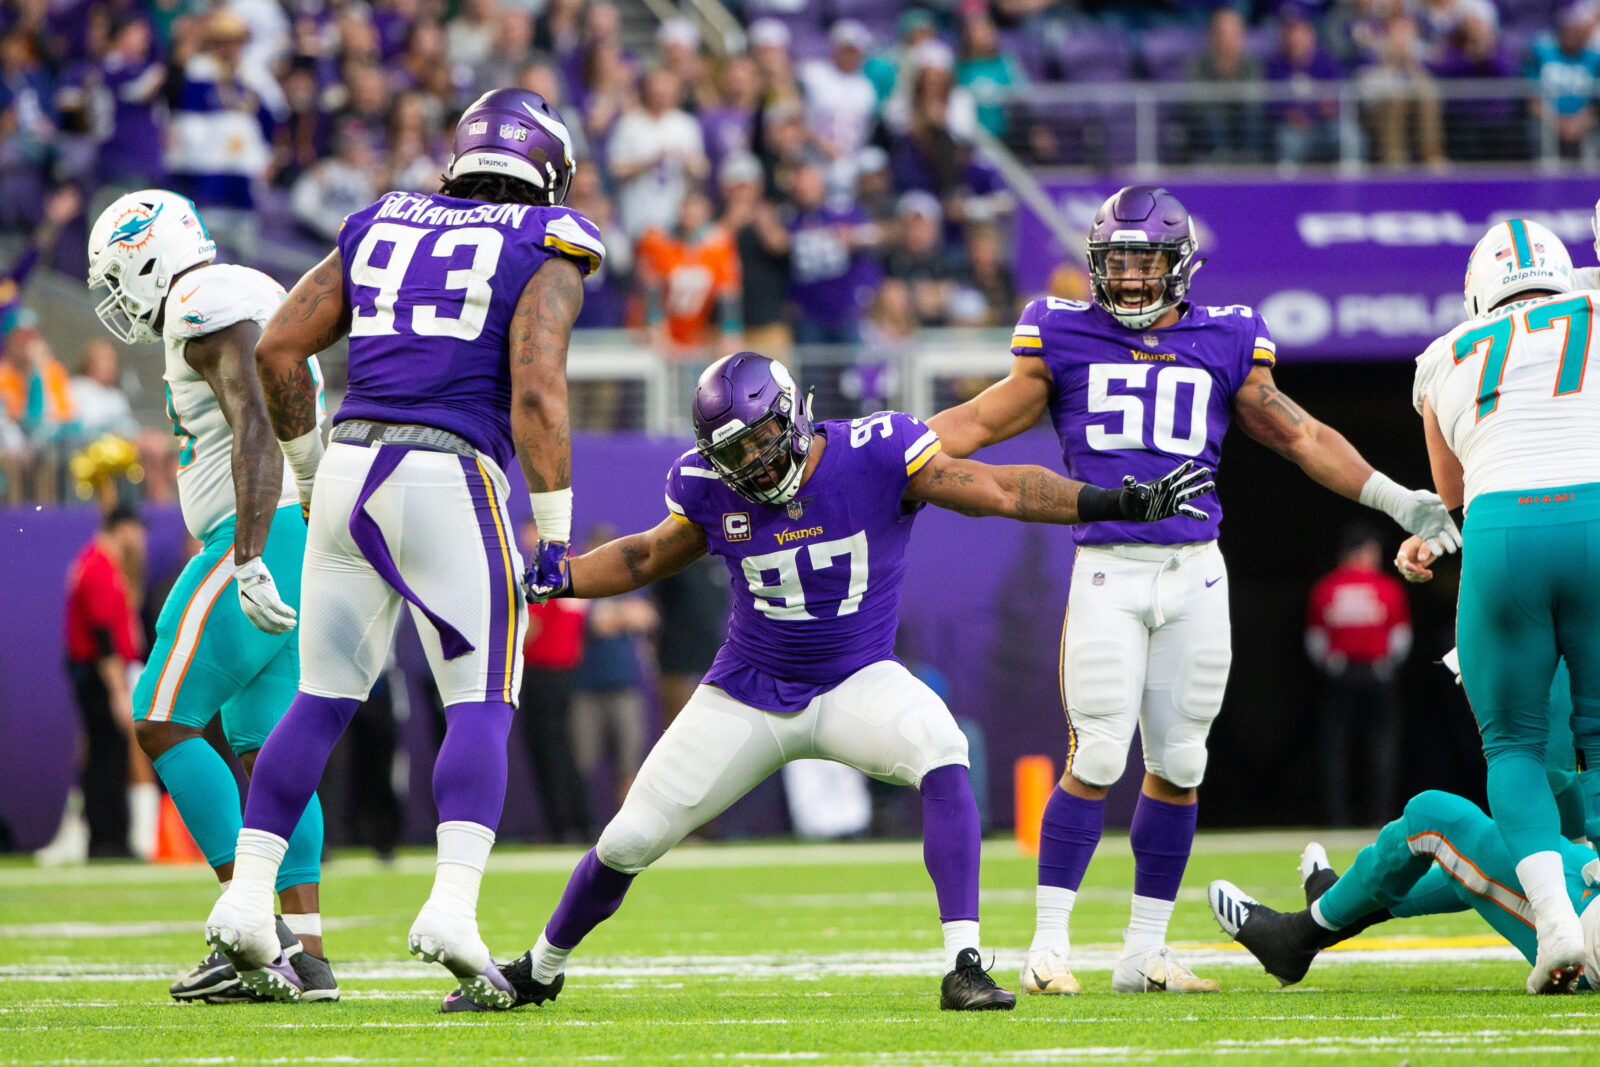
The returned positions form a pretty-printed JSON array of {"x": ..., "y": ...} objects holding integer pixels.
[{"x": 1143, "y": 401}]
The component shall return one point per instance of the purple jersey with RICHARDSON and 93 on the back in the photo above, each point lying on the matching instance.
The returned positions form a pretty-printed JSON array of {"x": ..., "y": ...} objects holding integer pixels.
[{"x": 433, "y": 284}]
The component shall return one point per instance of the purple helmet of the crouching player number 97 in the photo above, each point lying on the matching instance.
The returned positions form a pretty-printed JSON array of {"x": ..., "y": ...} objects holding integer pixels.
[{"x": 751, "y": 426}]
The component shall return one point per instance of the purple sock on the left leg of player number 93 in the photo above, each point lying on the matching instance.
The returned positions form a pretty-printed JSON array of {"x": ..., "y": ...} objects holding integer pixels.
[{"x": 292, "y": 762}]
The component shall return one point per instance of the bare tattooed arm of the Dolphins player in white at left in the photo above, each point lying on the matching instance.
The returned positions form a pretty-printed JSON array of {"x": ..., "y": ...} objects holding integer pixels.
[{"x": 223, "y": 359}]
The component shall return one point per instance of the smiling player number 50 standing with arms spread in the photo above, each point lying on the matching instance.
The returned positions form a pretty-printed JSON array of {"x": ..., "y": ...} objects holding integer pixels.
[{"x": 1138, "y": 380}]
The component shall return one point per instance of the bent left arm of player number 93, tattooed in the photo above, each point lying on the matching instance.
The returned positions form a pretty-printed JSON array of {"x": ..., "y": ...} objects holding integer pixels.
[{"x": 314, "y": 318}]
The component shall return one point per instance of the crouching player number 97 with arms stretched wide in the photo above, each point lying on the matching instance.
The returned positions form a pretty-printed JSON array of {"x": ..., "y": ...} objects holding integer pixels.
[{"x": 814, "y": 524}]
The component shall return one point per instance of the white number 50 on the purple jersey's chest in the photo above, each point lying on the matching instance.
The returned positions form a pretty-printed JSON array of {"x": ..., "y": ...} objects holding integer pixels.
[{"x": 1129, "y": 433}]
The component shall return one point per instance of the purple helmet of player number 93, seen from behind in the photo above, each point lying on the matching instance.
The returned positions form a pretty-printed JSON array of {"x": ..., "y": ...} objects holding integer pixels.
[{"x": 518, "y": 135}]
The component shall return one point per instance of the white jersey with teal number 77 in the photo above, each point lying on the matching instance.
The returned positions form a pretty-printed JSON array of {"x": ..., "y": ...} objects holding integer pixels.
[{"x": 1510, "y": 391}]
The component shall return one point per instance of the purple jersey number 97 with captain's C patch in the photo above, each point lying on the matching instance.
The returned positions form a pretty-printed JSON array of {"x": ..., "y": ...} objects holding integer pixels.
[{"x": 815, "y": 583}]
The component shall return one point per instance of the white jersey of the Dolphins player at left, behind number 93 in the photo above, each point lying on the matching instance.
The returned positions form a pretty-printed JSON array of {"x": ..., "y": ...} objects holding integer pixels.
[{"x": 201, "y": 303}]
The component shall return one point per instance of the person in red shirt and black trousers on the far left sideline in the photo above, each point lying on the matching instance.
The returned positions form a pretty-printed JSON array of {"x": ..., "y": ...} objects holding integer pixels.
[{"x": 103, "y": 639}]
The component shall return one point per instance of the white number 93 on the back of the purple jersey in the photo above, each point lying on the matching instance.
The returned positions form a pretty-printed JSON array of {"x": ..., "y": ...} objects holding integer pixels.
[{"x": 404, "y": 244}]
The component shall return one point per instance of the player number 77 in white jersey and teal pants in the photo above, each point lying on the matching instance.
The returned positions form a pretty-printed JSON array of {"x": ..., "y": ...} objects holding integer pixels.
[{"x": 1511, "y": 436}]
